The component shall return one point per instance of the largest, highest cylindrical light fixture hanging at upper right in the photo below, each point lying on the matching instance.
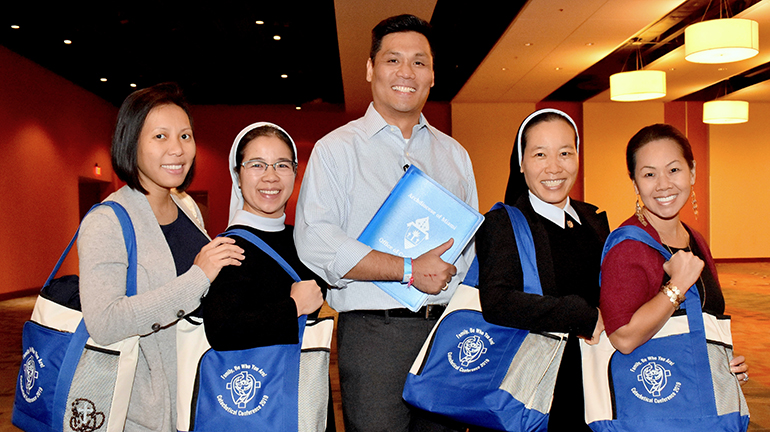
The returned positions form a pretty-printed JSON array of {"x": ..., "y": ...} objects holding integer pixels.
[{"x": 723, "y": 40}]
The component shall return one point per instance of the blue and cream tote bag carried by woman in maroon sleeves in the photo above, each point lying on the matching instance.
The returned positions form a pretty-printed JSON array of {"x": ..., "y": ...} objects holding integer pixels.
[{"x": 679, "y": 380}]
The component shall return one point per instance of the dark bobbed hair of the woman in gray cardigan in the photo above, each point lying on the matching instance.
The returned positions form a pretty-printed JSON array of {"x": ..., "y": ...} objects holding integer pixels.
[{"x": 131, "y": 117}]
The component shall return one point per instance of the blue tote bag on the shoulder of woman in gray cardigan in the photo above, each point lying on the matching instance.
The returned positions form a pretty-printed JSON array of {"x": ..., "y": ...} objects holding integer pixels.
[{"x": 66, "y": 380}]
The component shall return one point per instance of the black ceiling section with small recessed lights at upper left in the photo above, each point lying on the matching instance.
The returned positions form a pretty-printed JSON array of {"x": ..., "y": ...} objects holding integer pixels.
[{"x": 213, "y": 49}]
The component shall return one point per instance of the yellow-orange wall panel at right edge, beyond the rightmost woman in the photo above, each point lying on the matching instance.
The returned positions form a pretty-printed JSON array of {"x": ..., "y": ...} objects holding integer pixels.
[{"x": 740, "y": 197}]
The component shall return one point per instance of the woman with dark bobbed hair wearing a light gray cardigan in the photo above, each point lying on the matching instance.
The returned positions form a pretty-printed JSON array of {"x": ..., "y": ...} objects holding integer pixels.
[{"x": 153, "y": 151}]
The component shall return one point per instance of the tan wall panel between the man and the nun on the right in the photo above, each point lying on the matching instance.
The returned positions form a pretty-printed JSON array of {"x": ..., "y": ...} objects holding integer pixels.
[{"x": 488, "y": 131}]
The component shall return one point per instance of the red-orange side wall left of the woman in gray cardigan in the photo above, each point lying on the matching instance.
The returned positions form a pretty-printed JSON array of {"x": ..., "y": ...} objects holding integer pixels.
[{"x": 51, "y": 133}]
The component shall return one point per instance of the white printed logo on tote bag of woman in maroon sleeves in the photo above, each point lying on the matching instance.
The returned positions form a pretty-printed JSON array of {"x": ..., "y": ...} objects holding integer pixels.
[{"x": 654, "y": 374}]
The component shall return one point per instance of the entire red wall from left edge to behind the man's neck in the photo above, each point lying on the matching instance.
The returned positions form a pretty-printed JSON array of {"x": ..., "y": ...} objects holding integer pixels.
[{"x": 52, "y": 132}]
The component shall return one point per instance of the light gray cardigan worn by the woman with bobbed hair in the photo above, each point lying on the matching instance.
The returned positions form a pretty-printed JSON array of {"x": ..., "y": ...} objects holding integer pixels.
[{"x": 162, "y": 298}]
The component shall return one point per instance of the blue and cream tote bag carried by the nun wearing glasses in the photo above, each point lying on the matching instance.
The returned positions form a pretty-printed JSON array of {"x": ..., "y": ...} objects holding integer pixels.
[{"x": 271, "y": 388}]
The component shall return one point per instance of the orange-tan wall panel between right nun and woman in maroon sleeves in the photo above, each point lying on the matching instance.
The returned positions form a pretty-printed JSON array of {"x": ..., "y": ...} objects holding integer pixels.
[{"x": 607, "y": 127}]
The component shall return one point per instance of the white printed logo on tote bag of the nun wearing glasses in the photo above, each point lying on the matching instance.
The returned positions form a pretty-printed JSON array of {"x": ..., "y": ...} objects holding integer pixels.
[{"x": 242, "y": 382}]
